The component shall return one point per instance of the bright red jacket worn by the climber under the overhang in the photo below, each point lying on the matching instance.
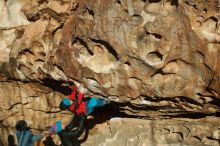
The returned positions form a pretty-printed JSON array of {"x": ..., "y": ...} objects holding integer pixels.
[{"x": 81, "y": 104}]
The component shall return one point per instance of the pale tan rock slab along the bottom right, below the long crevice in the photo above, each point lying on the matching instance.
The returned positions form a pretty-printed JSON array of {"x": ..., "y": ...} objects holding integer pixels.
[{"x": 136, "y": 132}]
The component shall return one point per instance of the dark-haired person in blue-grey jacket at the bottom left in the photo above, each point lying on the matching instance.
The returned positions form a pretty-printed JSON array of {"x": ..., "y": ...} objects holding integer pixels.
[{"x": 24, "y": 134}]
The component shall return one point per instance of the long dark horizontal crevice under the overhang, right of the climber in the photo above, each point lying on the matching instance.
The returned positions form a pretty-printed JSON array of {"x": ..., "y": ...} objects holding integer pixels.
[{"x": 115, "y": 109}]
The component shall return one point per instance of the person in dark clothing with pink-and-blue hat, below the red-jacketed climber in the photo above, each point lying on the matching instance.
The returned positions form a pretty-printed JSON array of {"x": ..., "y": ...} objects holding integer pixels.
[{"x": 67, "y": 138}]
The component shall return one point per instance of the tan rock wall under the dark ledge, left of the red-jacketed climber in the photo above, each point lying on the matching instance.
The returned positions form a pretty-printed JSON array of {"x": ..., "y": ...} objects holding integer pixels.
[{"x": 35, "y": 103}]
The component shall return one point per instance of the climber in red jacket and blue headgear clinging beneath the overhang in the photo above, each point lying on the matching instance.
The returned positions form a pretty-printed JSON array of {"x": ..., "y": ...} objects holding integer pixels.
[{"x": 80, "y": 107}]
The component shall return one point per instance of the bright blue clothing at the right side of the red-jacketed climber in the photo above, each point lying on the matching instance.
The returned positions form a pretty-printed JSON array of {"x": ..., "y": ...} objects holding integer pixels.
[{"x": 92, "y": 103}]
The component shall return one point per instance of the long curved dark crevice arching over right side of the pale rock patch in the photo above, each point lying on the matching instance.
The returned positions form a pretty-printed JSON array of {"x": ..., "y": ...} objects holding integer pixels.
[{"x": 108, "y": 47}]
